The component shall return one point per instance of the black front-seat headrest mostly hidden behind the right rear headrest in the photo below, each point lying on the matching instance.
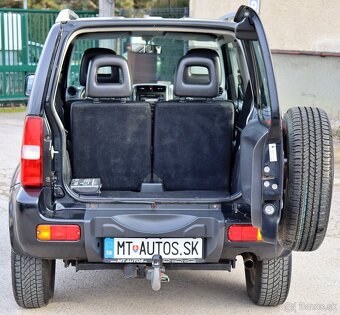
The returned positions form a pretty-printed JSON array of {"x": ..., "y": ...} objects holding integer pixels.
[{"x": 204, "y": 52}]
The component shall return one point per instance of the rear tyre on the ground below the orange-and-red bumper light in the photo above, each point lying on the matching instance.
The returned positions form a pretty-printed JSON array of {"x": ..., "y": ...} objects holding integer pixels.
[{"x": 32, "y": 280}]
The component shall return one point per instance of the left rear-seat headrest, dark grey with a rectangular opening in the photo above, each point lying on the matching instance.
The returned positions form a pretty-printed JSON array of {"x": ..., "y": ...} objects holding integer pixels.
[{"x": 97, "y": 89}]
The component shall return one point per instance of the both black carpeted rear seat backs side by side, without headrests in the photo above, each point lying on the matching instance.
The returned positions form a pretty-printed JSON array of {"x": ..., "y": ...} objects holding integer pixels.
[{"x": 188, "y": 154}]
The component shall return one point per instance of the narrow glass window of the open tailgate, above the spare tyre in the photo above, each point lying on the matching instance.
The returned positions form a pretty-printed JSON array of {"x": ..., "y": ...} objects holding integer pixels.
[{"x": 262, "y": 89}]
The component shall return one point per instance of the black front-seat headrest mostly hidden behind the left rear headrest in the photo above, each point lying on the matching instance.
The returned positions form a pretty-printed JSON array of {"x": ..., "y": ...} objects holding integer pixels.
[{"x": 88, "y": 55}]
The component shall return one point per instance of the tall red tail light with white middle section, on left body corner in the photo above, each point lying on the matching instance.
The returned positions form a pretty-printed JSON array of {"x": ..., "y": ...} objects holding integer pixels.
[{"x": 32, "y": 152}]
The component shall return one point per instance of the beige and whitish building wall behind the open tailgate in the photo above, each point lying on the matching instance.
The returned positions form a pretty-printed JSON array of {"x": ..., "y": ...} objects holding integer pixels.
[{"x": 304, "y": 37}]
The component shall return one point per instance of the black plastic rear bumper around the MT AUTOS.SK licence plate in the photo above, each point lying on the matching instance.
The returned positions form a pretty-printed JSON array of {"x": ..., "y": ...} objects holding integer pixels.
[{"x": 27, "y": 209}]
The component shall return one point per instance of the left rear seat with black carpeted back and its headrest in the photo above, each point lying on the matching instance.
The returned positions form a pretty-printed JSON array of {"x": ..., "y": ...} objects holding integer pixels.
[{"x": 111, "y": 139}]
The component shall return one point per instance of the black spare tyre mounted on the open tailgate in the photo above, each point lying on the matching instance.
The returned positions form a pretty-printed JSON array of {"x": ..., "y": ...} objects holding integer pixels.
[{"x": 308, "y": 178}]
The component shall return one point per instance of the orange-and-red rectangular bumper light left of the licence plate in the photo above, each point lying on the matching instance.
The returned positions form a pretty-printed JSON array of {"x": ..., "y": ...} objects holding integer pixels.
[{"x": 58, "y": 232}]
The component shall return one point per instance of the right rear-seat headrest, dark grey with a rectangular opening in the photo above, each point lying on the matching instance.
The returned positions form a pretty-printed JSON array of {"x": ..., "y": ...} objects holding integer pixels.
[{"x": 185, "y": 86}]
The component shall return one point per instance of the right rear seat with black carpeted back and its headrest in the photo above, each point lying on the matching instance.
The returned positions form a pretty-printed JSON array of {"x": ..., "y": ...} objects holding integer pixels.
[{"x": 193, "y": 138}]
